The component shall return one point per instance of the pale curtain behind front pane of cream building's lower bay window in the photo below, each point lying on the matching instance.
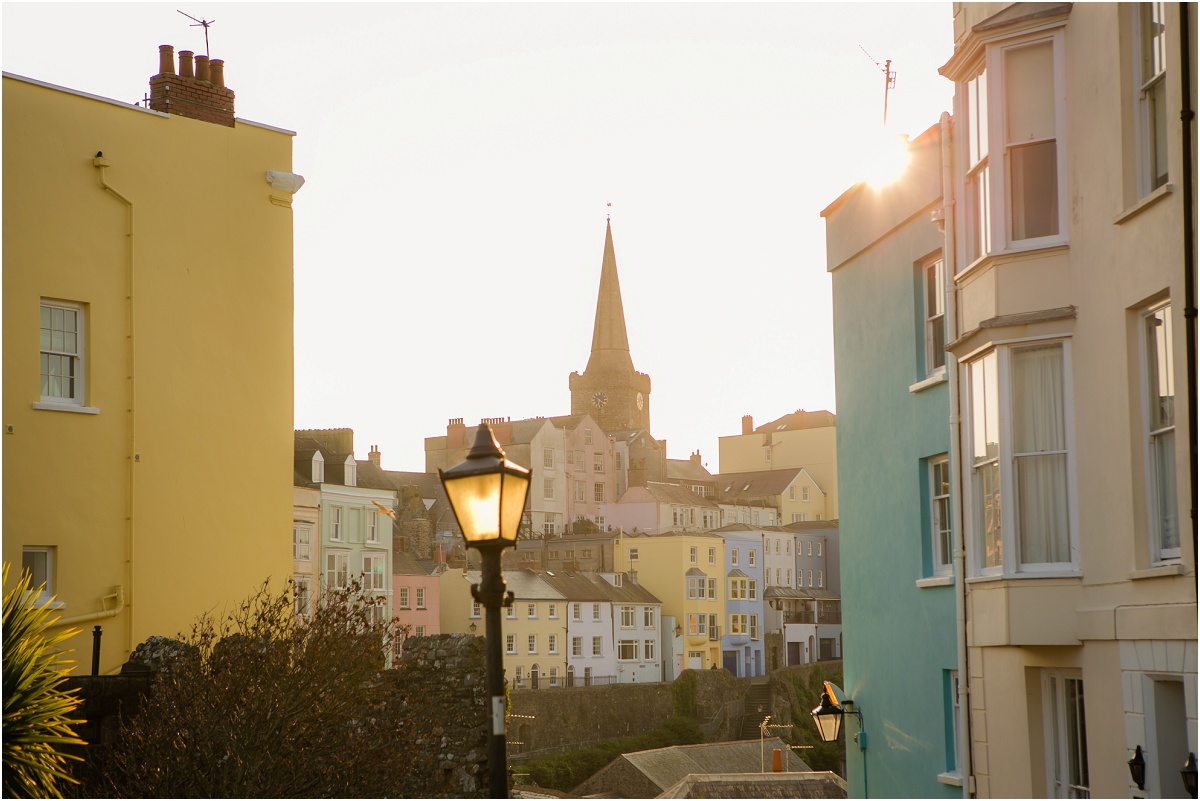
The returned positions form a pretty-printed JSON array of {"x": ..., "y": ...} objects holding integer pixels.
[{"x": 1040, "y": 455}]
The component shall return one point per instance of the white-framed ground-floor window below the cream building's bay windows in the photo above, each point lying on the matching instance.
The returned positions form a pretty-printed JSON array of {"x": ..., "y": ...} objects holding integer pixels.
[{"x": 1059, "y": 716}]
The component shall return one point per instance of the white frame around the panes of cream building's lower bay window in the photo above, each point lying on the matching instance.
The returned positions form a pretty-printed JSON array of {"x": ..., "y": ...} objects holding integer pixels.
[{"x": 1010, "y": 564}]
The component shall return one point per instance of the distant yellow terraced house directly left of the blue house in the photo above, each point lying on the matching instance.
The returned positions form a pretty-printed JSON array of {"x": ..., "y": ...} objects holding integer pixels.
[{"x": 686, "y": 571}]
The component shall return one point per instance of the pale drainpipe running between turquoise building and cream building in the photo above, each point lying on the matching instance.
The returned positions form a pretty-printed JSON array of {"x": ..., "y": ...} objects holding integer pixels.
[{"x": 950, "y": 262}]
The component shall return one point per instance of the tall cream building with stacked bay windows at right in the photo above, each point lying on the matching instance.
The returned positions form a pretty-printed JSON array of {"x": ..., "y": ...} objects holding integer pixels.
[{"x": 1069, "y": 219}]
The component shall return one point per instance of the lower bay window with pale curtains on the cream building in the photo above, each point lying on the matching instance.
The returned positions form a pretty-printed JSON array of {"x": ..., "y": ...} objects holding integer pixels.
[{"x": 1019, "y": 460}]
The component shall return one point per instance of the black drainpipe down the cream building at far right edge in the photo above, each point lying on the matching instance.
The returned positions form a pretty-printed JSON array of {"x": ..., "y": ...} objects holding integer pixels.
[{"x": 1187, "y": 116}]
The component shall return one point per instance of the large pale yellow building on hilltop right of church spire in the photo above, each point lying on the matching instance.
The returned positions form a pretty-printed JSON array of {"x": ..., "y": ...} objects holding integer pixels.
[{"x": 799, "y": 439}]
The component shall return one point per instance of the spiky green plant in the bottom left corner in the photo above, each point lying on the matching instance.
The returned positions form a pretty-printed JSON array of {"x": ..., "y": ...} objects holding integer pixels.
[{"x": 37, "y": 712}]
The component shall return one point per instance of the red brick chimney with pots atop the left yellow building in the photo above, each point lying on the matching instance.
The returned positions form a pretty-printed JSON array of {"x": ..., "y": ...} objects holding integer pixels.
[{"x": 202, "y": 97}]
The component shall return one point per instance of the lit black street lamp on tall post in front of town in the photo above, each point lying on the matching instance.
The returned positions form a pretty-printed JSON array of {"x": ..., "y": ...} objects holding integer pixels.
[{"x": 488, "y": 495}]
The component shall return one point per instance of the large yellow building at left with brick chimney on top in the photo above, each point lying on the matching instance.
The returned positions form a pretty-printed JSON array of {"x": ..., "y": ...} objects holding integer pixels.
[{"x": 148, "y": 272}]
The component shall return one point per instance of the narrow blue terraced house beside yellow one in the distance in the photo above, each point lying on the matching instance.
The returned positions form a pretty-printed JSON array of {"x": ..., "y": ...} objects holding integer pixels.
[{"x": 742, "y": 636}]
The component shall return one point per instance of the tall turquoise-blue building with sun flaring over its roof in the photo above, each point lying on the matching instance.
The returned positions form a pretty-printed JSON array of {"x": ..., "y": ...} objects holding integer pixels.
[{"x": 895, "y": 467}]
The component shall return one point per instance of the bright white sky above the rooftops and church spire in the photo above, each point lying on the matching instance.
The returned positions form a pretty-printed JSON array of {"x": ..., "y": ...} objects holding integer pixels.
[{"x": 461, "y": 161}]
